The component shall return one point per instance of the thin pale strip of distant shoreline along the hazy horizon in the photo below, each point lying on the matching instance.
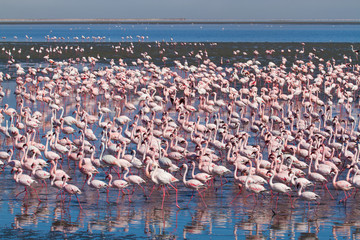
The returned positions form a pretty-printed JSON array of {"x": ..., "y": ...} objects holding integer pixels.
[{"x": 170, "y": 21}]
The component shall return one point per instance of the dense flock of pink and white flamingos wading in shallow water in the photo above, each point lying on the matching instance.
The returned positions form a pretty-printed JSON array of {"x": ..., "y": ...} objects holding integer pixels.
[{"x": 273, "y": 130}]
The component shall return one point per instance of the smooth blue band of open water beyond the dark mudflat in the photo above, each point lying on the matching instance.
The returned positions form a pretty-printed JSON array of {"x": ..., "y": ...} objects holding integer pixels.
[{"x": 182, "y": 32}]
